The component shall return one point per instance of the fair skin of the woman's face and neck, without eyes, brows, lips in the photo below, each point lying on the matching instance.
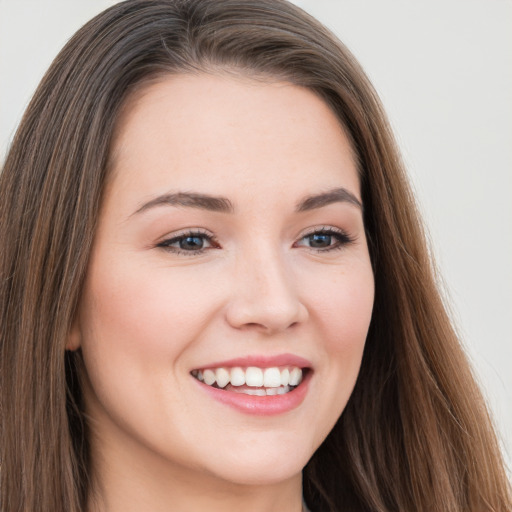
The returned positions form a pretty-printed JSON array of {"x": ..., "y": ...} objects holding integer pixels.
[{"x": 149, "y": 315}]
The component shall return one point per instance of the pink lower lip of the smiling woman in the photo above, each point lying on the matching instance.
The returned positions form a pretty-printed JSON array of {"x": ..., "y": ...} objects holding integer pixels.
[{"x": 261, "y": 405}]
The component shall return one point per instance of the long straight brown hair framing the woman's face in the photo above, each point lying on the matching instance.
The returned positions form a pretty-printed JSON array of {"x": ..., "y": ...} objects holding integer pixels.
[{"x": 415, "y": 434}]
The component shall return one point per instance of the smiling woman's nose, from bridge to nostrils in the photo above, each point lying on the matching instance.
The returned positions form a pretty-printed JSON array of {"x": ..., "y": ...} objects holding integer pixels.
[{"x": 264, "y": 295}]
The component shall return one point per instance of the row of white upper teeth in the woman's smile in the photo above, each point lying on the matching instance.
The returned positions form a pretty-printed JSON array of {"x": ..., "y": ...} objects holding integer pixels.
[{"x": 252, "y": 376}]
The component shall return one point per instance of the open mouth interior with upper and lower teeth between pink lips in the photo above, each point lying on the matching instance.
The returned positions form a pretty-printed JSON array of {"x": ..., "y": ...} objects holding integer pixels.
[{"x": 252, "y": 380}]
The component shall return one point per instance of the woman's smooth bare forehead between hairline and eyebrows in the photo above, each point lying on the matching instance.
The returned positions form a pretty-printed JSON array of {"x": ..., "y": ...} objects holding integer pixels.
[{"x": 229, "y": 134}]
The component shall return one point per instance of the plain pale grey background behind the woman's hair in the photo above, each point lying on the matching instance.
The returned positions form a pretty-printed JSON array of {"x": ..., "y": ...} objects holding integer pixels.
[{"x": 443, "y": 69}]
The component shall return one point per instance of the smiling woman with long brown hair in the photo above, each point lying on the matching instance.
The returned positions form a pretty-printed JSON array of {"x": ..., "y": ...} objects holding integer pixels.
[{"x": 215, "y": 287}]
